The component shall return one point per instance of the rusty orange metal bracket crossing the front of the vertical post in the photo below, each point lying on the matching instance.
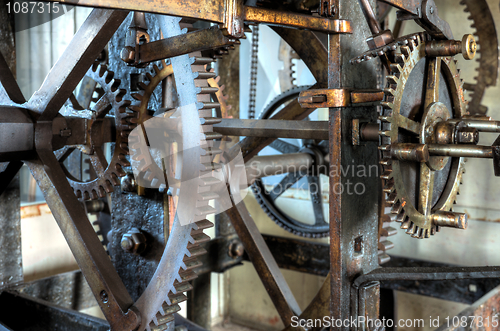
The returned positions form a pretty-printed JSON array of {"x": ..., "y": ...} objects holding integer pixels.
[{"x": 338, "y": 98}]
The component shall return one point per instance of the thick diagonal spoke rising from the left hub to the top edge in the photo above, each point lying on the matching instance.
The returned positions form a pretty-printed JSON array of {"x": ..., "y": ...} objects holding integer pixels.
[{"x": 68, "y": 71}]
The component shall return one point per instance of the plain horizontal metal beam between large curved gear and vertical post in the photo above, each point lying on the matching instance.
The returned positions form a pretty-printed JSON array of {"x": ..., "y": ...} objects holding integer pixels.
[{"x": 273, "y": 128}]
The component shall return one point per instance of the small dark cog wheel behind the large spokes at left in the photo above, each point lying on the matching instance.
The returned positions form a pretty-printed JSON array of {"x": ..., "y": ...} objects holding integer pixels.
[{"x": 110, "y": 106}]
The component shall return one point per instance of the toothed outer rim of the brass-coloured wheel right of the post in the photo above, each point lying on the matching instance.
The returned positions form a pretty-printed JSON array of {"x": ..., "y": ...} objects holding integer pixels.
[{"x": 406, "y": 214}]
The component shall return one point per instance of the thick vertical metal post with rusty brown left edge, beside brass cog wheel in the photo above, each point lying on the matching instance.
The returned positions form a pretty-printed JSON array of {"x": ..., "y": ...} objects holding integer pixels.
[{"x": 353, "y": 215}]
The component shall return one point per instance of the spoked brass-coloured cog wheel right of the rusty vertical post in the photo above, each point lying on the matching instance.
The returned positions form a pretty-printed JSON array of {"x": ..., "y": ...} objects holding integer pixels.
[{"x": 418, "y": 192}]
